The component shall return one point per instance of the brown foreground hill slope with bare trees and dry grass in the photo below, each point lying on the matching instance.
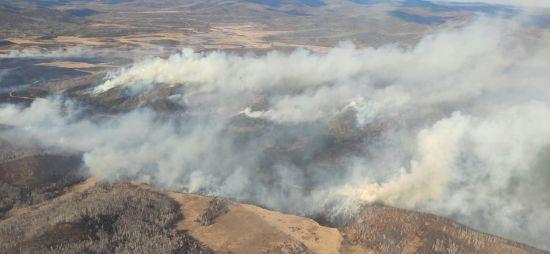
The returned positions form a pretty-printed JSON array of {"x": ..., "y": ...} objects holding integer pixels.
[{"x": 95, "y": 217}]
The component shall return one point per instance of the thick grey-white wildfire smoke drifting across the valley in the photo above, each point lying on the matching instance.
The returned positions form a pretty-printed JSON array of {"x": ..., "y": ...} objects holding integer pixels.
[{"x": 458, "y": 125}]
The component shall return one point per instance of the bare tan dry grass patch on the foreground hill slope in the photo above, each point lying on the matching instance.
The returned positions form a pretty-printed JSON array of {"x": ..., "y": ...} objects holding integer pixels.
[{"x": 250, "y": 229}]
